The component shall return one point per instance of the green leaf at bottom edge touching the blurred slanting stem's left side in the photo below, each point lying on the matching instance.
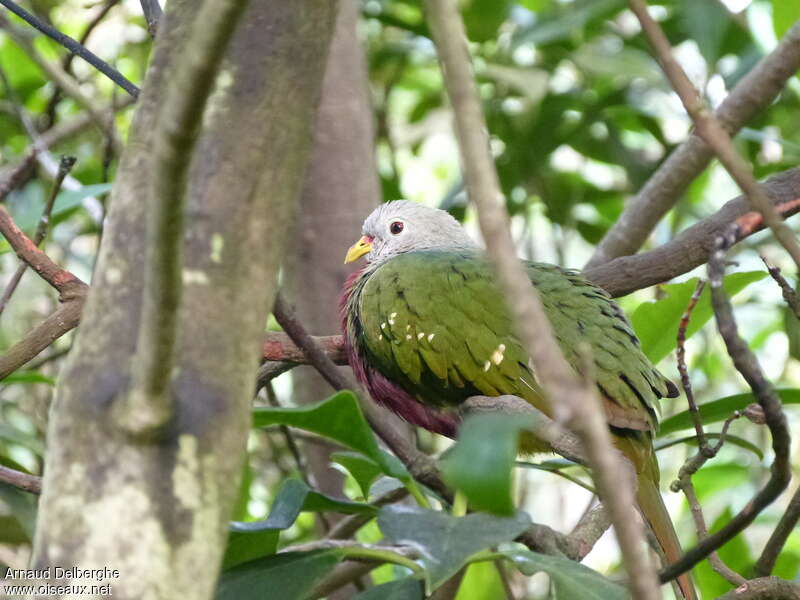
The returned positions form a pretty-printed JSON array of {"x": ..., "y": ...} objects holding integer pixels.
[{"x": 571, "y": 580}]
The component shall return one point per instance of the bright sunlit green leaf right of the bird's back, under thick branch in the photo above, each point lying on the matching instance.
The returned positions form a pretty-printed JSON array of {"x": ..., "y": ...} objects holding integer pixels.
[{"x": 656, "y": 323}]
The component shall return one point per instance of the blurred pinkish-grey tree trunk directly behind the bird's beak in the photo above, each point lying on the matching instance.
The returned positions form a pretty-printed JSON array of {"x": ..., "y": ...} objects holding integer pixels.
[{"x": 341, "y": 188}]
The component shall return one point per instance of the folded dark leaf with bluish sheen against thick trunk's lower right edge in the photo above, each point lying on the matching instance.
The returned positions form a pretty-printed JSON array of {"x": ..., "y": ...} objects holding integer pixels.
[{"x": 251, "y": 540}]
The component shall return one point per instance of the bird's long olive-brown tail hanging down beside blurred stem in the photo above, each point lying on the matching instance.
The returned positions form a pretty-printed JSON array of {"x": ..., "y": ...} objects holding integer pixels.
[{"x": 652, "y": 507}]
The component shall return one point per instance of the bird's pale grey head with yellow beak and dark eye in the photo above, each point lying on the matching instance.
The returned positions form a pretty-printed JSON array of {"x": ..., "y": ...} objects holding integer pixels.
[{"x": 403, "y": 226}]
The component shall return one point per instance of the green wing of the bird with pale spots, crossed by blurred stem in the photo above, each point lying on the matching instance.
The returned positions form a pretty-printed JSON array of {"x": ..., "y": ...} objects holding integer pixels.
[{"x": 435, "y": 323}]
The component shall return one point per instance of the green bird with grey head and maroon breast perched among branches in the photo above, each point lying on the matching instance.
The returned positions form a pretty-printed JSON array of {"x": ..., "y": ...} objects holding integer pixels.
[{"x": 426, "y": 327}]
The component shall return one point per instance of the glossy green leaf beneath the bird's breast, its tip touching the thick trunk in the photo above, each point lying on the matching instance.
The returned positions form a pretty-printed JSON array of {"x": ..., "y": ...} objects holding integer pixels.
[{"x": 339, "y": 418}]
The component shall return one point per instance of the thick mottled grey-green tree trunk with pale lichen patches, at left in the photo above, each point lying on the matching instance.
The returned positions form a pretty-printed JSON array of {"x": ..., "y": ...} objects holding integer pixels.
[{"x": 157, "y": 510}]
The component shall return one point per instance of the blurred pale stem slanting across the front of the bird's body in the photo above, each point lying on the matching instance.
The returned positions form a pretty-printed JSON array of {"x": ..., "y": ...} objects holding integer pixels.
[{"x": 576, "y": 395}]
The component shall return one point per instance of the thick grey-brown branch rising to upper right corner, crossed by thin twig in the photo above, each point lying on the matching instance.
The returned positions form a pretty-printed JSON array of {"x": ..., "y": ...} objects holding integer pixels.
[{"x": 752, "y": 94}]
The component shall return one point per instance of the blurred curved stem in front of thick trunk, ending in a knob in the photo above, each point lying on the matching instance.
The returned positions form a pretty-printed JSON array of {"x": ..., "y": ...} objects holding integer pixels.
[{"x": 150, "y": 404}]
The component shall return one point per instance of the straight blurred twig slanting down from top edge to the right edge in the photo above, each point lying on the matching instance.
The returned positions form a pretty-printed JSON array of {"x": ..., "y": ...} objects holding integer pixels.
[{"x": 713, "y": 132}]
